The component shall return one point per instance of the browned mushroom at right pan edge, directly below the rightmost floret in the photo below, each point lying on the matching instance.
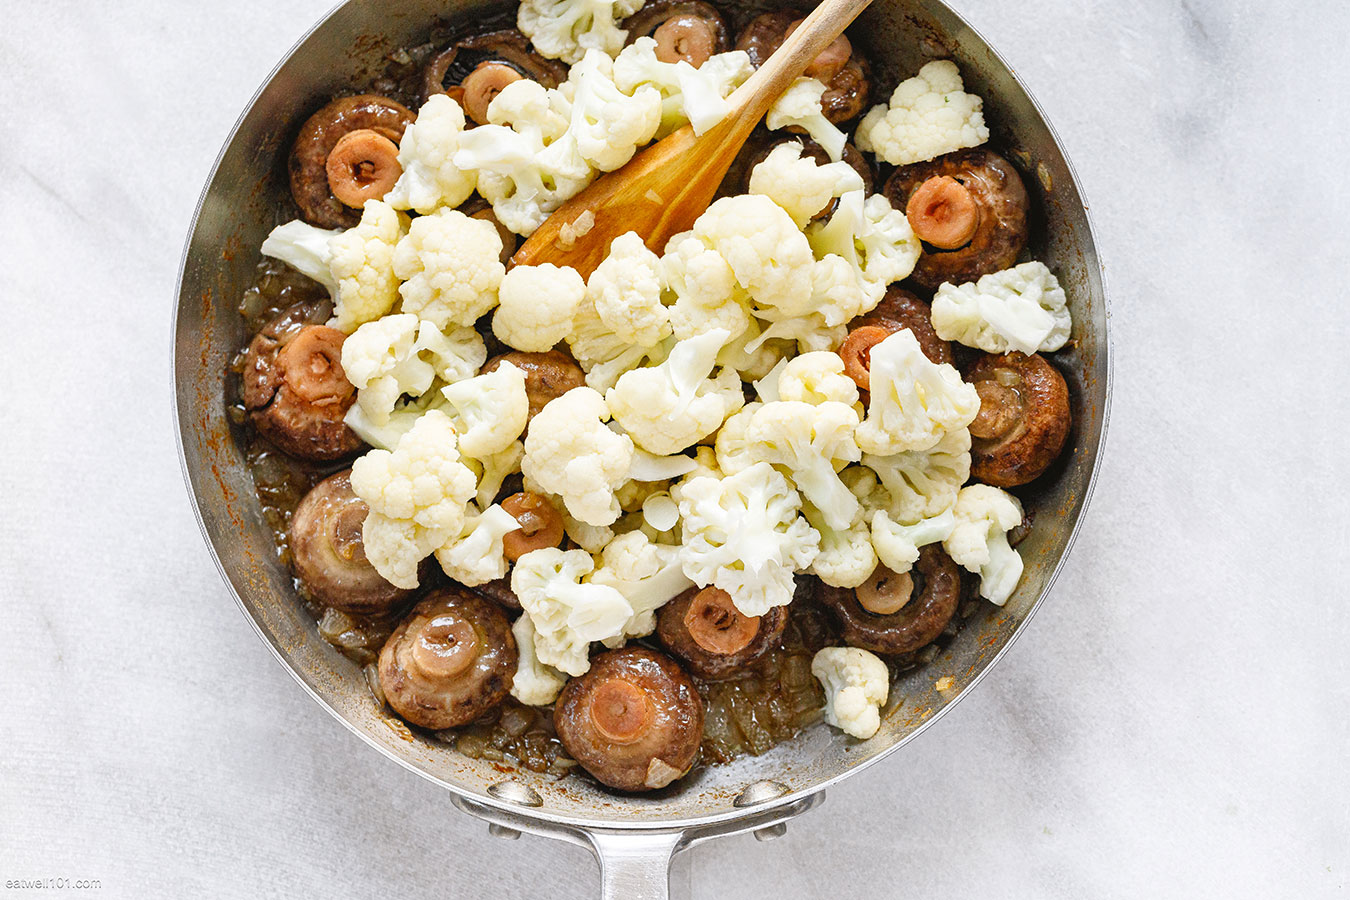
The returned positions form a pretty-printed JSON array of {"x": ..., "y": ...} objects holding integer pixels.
[{"x": 1024, "y": 419}]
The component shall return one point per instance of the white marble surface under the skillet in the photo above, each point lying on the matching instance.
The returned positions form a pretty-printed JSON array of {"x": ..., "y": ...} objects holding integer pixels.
[{"x": 1174, "y": 724}]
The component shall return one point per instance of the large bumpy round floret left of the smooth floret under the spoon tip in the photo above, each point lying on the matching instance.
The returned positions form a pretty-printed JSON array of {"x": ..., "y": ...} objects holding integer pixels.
[{"x": 452, "y": 268}]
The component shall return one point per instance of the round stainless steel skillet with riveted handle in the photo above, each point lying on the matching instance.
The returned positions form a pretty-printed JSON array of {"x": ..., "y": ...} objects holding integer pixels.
[{"x": 632, "y": 837}]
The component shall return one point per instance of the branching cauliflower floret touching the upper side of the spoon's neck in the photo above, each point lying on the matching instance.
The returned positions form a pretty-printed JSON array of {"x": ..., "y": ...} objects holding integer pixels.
[{"x": 697, "y": 96}]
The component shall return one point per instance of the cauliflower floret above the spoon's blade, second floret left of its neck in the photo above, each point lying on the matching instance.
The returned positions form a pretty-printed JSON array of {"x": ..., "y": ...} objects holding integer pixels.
[{"x": 608, "y": 125}]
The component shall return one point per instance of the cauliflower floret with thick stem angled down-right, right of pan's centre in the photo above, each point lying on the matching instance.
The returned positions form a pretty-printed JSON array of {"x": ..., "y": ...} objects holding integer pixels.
[{"x": 811, "y": 443}]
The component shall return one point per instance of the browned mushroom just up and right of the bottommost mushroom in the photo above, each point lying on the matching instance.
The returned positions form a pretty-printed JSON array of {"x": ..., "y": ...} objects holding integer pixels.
[{"x": 712, "y": 638}]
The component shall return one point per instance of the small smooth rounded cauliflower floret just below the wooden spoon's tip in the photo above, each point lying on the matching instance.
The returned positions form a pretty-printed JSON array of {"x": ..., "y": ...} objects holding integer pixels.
[{"x": 538, "y": 306}]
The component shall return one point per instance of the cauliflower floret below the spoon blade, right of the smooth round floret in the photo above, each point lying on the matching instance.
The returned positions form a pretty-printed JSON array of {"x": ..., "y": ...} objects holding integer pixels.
[{"x": 626, "y": 291}]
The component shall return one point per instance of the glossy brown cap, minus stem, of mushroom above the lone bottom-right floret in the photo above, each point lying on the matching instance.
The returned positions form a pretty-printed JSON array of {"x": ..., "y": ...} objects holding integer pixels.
[{"x": 938, "y": 592}]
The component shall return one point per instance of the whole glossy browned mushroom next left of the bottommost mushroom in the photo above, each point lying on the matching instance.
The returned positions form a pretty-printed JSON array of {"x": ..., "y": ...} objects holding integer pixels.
[{"x": 452, "y": 660}]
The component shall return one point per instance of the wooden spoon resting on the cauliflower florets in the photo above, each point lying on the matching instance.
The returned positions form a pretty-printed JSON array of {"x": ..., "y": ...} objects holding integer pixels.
[{"x": 665, "y": 188}]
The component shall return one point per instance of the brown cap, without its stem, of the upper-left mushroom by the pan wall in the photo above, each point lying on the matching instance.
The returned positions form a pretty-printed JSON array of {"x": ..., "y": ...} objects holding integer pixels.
[{"x": 318, "y": 138}]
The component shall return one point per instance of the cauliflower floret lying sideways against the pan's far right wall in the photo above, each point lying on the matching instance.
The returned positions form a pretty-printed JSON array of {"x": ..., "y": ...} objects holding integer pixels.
[{"x": 1023, "y": 308}]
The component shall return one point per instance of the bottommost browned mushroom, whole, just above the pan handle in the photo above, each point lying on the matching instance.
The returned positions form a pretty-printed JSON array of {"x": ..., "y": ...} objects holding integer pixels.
[{"x": 634, "y": 721}]
